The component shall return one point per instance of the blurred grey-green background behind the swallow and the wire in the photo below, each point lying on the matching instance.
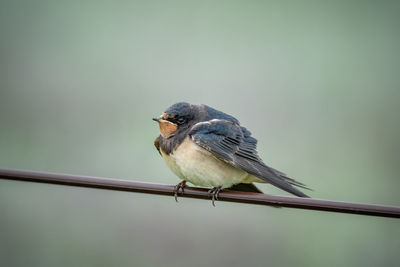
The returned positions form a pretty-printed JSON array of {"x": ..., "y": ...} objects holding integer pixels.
[{"x": 316, "y": 82}]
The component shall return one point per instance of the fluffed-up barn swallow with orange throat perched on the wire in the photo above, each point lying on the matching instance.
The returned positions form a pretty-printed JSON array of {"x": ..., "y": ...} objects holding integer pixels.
[{"x": 209, "y": 148}]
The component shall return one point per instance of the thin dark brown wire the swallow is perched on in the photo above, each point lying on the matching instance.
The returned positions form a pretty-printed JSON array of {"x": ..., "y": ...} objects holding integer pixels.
[{"x": 201, "y": 193}]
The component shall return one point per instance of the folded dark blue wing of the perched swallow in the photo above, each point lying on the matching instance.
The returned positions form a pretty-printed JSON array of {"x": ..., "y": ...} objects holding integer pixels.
[{"x": 234, "y": 144}]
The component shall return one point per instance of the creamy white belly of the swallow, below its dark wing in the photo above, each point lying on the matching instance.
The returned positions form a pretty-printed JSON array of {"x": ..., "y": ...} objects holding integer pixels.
[{"x": 198, "y": 166}]
